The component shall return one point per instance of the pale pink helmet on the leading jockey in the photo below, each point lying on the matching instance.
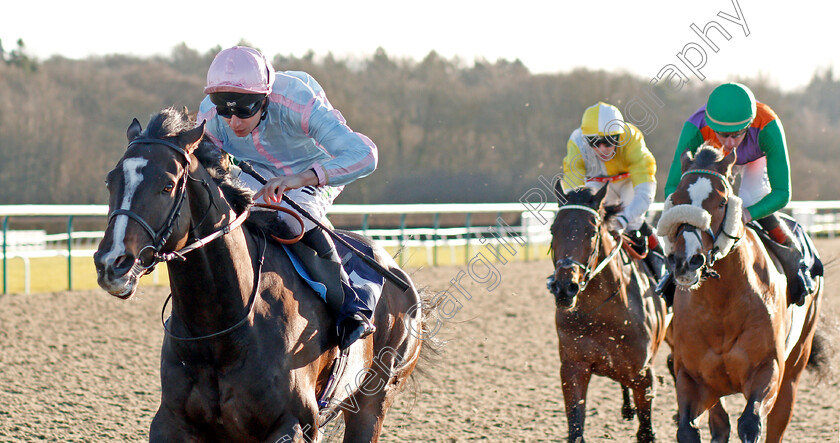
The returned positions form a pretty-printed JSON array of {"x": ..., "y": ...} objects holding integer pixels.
[{"x": 240, "y": 69}]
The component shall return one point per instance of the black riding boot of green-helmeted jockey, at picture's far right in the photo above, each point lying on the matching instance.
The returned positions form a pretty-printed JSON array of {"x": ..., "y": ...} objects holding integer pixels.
[{"x": 799, "y": 281}]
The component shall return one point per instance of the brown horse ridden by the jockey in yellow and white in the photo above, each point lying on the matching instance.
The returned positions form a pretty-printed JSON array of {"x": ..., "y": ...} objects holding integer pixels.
[{"x": 609, "y": 321}]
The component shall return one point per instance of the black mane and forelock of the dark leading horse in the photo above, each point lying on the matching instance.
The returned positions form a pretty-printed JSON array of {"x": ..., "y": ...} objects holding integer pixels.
[{"x": 169, "y": 123}]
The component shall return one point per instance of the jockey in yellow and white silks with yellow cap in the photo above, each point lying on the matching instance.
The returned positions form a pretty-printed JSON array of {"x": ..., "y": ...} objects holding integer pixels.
[{"x": 606, "y": 149}]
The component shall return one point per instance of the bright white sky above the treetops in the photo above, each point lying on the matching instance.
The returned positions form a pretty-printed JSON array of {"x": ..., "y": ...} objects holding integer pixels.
[{"x": 783, "y": 43}]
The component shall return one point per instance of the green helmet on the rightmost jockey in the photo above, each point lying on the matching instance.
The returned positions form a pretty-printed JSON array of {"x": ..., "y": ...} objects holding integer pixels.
[{"x": 731, "y": 108}]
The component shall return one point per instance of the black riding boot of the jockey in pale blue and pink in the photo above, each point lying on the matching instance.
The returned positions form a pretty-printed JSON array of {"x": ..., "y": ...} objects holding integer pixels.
[{"x": 351, "y": 323}]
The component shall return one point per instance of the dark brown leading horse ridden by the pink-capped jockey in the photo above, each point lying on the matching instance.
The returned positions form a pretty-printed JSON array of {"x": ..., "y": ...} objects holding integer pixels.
[{"x": 248, "y": 348}]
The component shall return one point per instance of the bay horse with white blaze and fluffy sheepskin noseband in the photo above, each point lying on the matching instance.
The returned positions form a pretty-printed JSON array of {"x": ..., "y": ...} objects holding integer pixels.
[{"x": 733, "y": 331}]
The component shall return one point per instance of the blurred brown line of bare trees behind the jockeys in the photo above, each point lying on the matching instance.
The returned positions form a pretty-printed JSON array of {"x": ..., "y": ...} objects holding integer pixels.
[{"x": 446, "y": 132}]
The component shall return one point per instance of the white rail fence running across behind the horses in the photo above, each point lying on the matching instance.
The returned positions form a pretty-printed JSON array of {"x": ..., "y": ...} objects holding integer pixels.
[{"x": 531, "y": 231}]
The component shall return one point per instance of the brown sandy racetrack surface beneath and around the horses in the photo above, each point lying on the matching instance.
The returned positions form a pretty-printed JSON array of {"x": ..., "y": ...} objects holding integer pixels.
[{"x": 83, "y": 366}]
